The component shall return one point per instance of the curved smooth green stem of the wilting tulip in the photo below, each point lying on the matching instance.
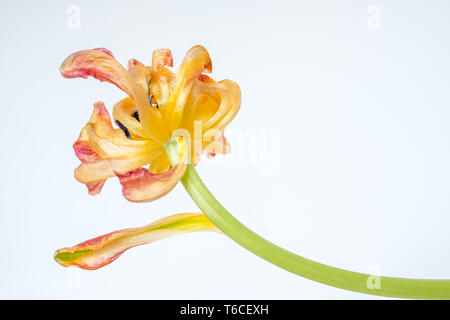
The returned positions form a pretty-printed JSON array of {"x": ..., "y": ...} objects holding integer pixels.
[{"x": 340, "y": 278}]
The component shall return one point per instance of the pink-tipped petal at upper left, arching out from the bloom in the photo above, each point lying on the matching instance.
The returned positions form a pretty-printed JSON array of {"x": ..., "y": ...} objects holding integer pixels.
[{"x": 98, "y": 63}]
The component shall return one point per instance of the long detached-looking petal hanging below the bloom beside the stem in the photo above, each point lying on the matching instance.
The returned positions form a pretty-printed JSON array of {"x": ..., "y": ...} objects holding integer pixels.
[{"x": 100, "y": 251}]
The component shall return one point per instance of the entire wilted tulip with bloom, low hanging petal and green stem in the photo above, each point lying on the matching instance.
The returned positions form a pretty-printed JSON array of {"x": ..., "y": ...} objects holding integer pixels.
[{"x": 164, "y": 125}]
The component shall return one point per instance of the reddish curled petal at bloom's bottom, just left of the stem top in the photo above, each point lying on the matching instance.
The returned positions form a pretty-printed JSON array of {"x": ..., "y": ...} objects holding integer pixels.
[{"x": 140, "y": 185}]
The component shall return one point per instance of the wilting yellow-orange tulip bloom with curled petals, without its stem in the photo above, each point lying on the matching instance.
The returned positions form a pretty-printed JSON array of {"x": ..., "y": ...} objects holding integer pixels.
[{"x": 159, "y": 106}]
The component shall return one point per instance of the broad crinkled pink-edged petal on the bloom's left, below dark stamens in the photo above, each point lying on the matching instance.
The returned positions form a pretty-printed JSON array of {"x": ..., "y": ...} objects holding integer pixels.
[{"x": 104, "y": 150}]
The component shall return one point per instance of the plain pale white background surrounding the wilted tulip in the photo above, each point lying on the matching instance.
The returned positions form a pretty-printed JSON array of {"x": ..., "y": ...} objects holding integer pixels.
[{"x": 361, "y": 108}]
